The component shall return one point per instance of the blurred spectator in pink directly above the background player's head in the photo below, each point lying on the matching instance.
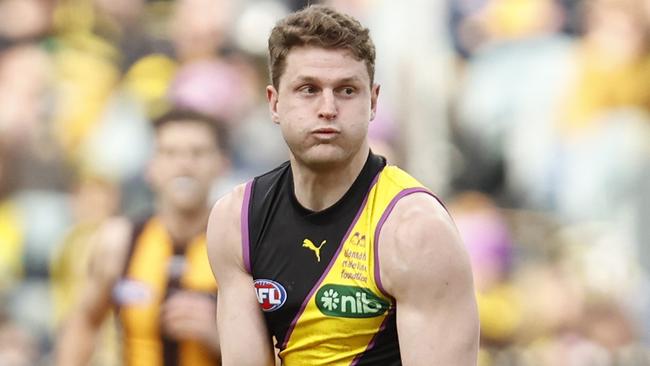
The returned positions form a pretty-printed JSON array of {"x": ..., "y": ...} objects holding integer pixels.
[{"x": 210, "y": 79}]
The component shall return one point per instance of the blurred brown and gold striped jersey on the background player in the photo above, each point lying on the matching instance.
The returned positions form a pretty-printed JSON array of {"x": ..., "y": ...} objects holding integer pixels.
[{"x": 153, "y": 271}]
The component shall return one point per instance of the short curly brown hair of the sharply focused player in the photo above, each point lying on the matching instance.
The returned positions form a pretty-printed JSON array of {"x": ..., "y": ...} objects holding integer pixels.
[{"x": 321, "y": 26}]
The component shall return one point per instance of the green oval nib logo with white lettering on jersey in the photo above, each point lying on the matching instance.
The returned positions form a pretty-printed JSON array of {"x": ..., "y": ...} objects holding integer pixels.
[{"x": 349, "y": 302}]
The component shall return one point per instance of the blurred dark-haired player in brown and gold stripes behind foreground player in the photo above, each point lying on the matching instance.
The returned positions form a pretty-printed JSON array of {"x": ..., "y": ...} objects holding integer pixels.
[{"x": 155, "y": 272}]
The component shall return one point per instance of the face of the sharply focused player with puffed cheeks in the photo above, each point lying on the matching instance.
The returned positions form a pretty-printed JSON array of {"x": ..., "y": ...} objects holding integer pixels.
[{"x": 323, "y": 105}]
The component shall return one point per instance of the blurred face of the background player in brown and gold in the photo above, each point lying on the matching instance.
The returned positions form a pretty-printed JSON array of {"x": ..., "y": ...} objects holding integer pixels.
[{"x": 185, "y": 164}]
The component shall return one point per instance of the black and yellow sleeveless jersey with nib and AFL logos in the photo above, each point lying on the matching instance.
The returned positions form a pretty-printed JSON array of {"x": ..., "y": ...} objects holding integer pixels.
[{"x": 317, "y": 273}]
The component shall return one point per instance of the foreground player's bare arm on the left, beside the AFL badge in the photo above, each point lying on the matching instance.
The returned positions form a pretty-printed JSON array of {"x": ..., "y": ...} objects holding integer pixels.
[{"x": 239, "y": 318}]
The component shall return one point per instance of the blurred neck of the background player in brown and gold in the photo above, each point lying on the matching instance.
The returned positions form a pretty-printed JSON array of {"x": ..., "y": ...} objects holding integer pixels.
[{"x": 183, "y": 226}]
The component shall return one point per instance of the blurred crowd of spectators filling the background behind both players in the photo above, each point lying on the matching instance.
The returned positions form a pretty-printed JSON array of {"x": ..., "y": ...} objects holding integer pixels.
[{"x": 531, "y": 118}]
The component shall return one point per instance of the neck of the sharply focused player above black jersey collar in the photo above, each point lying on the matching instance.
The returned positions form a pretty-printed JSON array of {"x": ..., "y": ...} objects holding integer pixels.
[{"x": 317, "y": 190}]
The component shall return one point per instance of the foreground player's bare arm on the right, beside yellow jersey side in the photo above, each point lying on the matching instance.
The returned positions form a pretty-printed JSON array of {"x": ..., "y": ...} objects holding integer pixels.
[{"x": 427, "y": 270}]
